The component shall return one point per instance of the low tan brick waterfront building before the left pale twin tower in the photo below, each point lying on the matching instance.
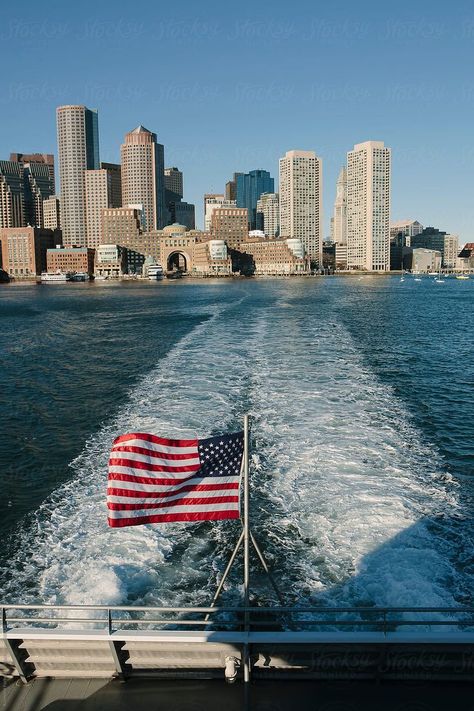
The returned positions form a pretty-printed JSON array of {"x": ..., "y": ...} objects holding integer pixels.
[{"x": 277, "y": 256}]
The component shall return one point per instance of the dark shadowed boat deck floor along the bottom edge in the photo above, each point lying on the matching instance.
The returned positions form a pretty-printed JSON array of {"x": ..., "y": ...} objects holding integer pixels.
[{"x": 144, "y": 695}]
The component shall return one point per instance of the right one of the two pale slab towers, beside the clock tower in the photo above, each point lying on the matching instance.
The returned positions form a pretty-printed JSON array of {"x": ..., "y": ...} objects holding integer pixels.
[{"x": 368, "y": 206}]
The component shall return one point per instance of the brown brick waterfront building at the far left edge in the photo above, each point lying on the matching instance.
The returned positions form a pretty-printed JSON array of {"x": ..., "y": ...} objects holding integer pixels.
[{"x": 24, "y": 249}]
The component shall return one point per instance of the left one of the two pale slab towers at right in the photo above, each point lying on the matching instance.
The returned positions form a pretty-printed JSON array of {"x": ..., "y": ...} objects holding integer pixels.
[{"x": 301, "y": 205}]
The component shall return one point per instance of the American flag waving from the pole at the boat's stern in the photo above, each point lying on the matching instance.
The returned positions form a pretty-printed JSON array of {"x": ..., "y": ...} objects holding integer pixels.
[{"x": 157, "y": 480}]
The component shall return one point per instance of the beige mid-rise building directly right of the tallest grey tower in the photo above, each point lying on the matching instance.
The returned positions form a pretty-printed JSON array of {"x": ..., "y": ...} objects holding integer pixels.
[{"x": 103, "y": 189}]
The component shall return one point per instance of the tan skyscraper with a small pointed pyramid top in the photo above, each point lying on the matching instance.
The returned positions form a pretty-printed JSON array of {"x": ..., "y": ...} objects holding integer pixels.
[{"x": 143, "y": 179}]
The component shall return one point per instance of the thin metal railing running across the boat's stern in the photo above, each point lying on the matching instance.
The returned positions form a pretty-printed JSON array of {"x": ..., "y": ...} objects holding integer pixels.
[{"x": 114, "y": 619}]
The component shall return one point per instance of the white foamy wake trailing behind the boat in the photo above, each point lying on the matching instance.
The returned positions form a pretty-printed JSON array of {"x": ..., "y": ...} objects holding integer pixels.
[{"x": 343, "y": 486}]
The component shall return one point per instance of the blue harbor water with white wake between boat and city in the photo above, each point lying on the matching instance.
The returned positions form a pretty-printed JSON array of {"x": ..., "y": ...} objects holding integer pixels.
[{"x": 361, "y": 392}]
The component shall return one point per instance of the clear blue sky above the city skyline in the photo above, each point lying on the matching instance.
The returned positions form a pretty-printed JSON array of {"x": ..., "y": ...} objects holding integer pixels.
[{"x": 231, "y": 86}]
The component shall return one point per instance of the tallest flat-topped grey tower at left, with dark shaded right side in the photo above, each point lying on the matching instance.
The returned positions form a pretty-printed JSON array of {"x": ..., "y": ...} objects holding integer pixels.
[{"x": 78, "y": 148}]
